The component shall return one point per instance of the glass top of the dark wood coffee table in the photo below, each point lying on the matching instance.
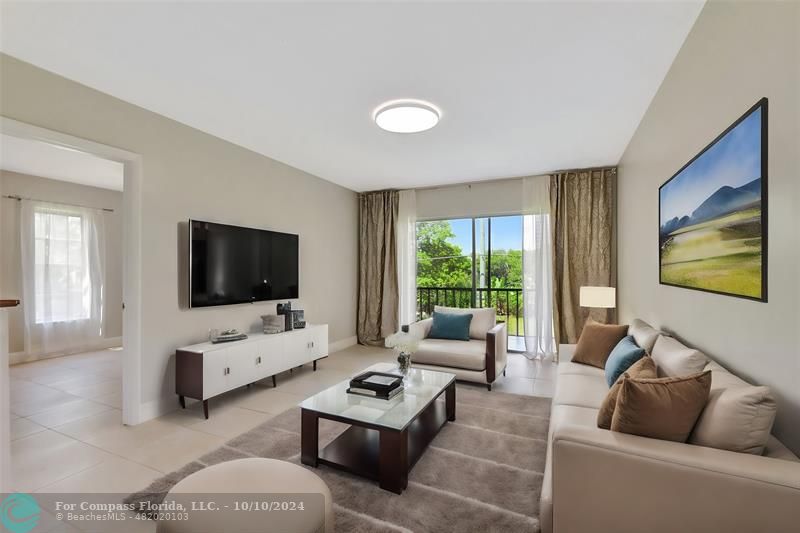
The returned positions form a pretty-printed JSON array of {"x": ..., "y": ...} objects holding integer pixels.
[{"x": 419, "y": 388}]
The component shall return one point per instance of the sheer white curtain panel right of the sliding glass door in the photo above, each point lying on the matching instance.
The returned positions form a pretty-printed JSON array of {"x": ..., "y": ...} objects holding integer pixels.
[{"x": 537, "y": 267}]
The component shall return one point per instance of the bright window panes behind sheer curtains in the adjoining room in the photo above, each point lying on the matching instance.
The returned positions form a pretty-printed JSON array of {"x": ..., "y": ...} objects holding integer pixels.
[{"x": 62, "y": 288}]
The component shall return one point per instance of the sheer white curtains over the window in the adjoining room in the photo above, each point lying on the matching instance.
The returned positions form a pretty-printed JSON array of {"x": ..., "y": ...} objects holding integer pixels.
[{"x": 63, "y": 276}]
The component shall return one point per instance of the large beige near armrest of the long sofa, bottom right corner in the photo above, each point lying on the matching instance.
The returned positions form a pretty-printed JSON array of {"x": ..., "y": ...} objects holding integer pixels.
[{"x": 626, "y": 483}]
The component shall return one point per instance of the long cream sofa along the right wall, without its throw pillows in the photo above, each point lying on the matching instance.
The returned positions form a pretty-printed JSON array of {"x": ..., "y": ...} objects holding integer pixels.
[{"x": 596, "y": 480}]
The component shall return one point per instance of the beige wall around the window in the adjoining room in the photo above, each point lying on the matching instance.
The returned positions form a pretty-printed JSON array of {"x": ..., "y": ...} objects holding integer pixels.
[{"x": 12, "y": 183}]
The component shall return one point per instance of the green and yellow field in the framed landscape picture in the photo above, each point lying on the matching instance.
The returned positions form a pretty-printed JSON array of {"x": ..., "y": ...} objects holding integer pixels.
[{"x": 722, "y": 254}]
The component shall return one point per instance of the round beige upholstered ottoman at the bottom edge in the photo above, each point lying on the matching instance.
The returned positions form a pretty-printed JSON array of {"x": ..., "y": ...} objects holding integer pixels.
[{"x": 249, "y": 496}]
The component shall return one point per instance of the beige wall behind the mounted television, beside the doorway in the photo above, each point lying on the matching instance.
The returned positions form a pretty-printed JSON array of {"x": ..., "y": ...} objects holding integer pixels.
[{"x": 189, "y": 174}]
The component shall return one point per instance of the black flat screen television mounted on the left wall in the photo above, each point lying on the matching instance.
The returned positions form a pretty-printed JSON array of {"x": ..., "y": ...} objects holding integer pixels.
[{"x": 234, "y": 265}]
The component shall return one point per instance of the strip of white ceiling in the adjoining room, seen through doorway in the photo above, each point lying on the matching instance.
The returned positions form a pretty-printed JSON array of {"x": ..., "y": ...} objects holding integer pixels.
[{"x": 38, "y": 158}]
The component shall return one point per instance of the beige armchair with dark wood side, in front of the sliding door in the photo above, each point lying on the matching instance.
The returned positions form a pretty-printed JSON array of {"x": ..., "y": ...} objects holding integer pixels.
[{"x": 481, "y": 359}]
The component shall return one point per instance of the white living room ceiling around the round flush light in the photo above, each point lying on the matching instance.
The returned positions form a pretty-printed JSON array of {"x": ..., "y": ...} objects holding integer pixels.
[{"x": 525, "y": 88}]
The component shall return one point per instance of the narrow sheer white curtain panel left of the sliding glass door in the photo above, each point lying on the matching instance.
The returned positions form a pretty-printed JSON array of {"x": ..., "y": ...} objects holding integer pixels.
[{"x": 407, "y": 256}]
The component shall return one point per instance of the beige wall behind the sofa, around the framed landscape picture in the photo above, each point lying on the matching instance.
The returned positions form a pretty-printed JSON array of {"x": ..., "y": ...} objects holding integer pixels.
[{"x": 735, "y": 54}]
